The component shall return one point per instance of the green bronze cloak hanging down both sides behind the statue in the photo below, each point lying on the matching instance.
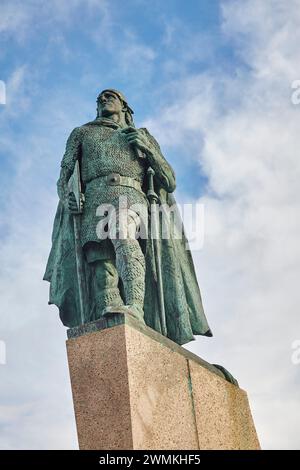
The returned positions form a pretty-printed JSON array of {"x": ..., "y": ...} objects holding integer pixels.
[{"x": 183, "y": 305}]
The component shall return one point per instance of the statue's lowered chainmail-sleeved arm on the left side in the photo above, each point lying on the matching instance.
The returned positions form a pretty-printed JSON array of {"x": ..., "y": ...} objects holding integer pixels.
[{"x": 71, "y": 154}]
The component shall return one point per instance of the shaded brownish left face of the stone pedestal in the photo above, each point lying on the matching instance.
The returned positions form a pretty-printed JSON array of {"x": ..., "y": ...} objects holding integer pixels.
[{"x": 99, "y": 379}]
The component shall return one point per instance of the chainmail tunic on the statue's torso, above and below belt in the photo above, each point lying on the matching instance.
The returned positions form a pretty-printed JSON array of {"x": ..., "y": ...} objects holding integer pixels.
[{"x": 104, "y": 151}]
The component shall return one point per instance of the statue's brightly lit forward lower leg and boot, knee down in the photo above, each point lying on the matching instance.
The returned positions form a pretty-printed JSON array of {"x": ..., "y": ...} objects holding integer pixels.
[{"x": 130, "y": 263}]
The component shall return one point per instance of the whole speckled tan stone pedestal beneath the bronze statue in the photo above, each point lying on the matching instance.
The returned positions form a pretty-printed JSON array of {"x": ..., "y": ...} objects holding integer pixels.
[{"x": 134, "y": 389}]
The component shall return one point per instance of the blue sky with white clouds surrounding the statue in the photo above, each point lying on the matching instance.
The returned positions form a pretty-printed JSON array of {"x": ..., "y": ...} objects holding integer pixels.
[{"x": 212, "y": 81}]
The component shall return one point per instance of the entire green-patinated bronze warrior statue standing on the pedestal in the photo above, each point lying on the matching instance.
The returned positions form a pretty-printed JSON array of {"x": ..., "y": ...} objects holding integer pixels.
[{"x": 119, "y": 275}]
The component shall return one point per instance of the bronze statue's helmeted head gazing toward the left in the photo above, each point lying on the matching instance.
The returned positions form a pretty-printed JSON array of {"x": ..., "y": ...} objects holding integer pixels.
[{"x": 111, "y": 102}]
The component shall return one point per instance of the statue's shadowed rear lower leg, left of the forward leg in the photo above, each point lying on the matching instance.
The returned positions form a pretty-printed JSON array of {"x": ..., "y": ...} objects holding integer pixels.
[{"x": 106, "y": 286}]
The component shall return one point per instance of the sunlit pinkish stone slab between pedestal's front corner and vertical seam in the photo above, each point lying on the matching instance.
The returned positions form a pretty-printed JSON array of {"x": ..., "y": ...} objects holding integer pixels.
[{"x": 161, "y": 409}]
